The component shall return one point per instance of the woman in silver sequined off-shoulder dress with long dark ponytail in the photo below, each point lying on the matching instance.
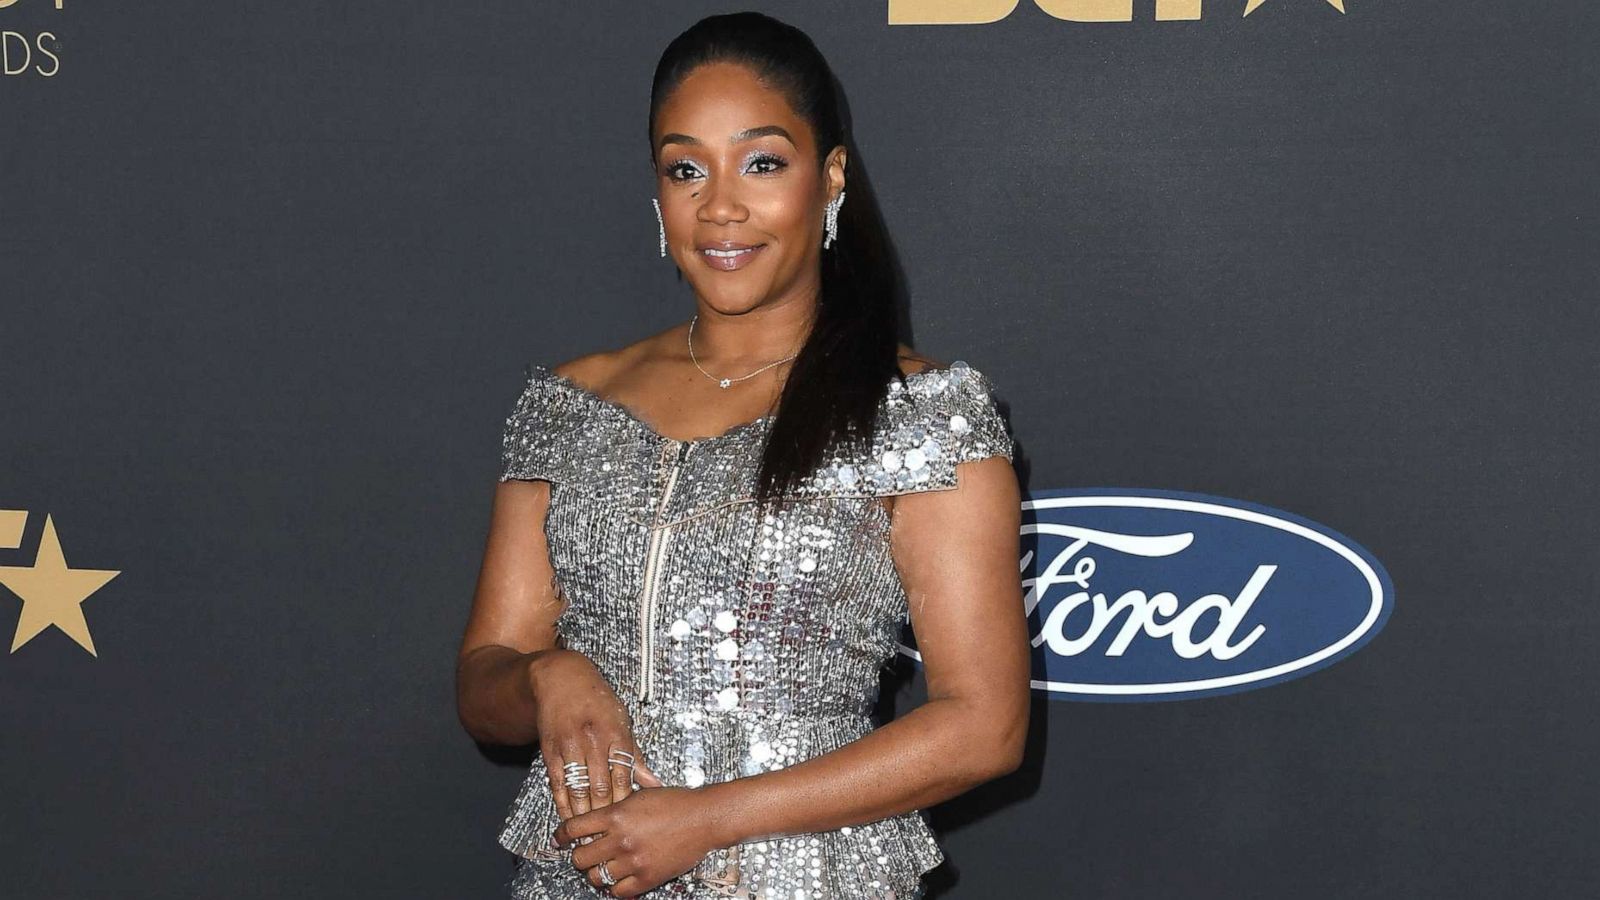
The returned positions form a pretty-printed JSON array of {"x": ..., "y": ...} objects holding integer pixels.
[{"x": 705, "y": 545}]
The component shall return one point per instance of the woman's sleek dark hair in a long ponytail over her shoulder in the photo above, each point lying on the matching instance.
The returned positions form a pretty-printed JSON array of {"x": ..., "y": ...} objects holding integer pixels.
[{"x": 846, "y": 366}]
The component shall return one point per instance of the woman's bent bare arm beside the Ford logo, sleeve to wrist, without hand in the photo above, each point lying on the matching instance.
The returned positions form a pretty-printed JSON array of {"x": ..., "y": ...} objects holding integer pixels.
[{"x": 958, "y": 556}]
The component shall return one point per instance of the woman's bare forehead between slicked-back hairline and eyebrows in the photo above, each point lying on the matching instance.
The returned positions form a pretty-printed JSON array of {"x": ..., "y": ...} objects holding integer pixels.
[{"x": 721, "y": 98}]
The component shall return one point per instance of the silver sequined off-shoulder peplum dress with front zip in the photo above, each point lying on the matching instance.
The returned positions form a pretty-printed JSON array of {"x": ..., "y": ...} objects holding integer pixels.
[{"x": 738, "y": 641}]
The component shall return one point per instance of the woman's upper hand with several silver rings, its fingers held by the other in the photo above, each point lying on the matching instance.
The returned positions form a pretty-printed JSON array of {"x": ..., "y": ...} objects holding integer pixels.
[{"x": 583, "y": 721}]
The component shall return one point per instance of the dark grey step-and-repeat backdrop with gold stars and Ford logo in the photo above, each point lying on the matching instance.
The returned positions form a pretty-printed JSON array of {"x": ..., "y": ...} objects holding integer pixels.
[{"x": 1290, "y": 305}]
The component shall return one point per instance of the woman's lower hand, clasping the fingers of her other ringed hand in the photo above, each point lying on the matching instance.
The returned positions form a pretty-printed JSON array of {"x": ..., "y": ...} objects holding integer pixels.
[{"x": 646, "y": 842}]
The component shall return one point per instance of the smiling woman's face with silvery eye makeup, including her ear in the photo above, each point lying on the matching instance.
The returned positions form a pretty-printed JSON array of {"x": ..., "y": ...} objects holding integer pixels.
[{"x": 737, "y": 169}]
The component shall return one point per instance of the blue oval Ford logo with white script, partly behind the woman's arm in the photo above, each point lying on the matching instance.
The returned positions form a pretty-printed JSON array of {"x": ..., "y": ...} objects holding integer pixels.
[{"x": 1156, "y": 595}]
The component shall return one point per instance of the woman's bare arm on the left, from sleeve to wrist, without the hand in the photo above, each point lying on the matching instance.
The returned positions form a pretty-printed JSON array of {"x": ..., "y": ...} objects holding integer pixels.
[{"x": 511, "y": 632}]
